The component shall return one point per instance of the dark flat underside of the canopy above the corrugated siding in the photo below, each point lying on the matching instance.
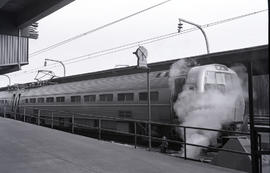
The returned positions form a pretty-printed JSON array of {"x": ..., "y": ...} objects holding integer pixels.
[{"x": 16, "y": 14}]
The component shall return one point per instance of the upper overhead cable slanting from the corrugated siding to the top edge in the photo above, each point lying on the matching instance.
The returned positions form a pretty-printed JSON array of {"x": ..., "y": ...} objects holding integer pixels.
[{"x": 93, "y": 30}]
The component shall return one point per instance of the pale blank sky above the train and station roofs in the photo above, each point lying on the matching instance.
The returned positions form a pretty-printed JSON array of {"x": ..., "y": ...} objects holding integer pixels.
[{"x": 81, "y": 16}]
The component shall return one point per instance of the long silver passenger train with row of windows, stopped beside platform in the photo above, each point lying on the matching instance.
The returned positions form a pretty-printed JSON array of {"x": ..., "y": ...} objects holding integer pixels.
[{"x": 120, "y": 92}]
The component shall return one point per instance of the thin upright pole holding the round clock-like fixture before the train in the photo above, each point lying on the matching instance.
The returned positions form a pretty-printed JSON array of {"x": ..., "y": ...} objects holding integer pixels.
[{"x": 149, "y": 107}]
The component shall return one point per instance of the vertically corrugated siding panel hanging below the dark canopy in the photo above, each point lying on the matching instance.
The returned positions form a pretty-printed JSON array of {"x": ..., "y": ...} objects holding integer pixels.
[{"x": 9, "y": 50}]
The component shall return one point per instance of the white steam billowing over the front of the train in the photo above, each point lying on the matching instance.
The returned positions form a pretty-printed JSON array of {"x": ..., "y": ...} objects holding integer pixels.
[{"x": 210, "y": 109}]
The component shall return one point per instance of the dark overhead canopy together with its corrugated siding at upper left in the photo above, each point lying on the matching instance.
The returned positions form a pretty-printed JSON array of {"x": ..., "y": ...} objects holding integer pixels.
[{"x": 17, "y": 24}]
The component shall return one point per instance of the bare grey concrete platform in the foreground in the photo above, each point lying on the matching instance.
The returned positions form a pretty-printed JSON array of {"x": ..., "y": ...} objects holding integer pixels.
[{"x": 27, "y": 148}]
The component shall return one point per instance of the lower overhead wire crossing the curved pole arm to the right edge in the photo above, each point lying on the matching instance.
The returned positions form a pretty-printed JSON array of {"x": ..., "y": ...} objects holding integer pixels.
[{"x": 141, "y": 42}]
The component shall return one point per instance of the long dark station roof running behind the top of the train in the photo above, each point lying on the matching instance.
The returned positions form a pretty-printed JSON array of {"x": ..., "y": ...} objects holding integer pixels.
[{"x": 257, "y": 55}]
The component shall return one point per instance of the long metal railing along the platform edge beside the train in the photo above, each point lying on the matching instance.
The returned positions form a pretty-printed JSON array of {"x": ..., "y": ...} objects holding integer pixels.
[{"x": 72, "y": 122}]
